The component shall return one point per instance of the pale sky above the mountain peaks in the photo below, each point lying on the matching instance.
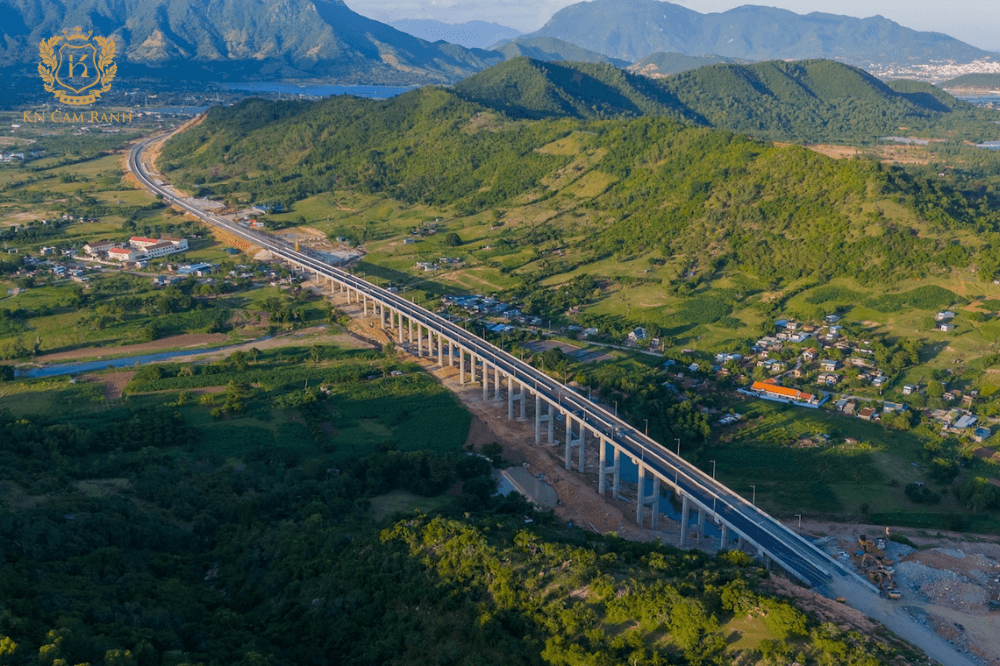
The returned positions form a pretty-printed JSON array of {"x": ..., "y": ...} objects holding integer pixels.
[{"x": 973, "y": 21}]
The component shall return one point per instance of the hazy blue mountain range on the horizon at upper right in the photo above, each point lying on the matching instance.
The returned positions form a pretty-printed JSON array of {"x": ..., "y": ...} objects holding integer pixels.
[{"x": 634, "y": 29}]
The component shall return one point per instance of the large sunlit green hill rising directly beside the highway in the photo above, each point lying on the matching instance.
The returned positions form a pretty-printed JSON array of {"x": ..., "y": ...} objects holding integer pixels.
[{"x": 648, "y": 186}]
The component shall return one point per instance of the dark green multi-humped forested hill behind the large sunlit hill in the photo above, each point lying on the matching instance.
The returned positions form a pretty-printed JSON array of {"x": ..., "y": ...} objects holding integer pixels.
[{"x": 812, "y": 100}]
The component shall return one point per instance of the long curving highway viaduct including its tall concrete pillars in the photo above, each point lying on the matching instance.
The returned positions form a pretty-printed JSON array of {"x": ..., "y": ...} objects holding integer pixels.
[{"x": 530, "y": 393}]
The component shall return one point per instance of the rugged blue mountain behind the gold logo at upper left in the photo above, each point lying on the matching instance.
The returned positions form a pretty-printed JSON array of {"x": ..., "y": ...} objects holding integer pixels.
[{"x": 240, "y": 39}]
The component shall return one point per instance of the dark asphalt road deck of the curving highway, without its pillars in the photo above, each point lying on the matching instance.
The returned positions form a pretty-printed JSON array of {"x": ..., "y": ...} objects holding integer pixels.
[{"x": 797, "y": 555}]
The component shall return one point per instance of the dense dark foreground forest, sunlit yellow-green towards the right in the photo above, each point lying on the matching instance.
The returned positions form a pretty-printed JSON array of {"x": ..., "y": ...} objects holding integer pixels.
[{"x": 155, "y": 551}]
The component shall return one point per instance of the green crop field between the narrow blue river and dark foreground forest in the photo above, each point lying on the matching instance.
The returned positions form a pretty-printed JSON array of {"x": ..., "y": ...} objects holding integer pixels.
[{"x": 357, "y": 416}]
